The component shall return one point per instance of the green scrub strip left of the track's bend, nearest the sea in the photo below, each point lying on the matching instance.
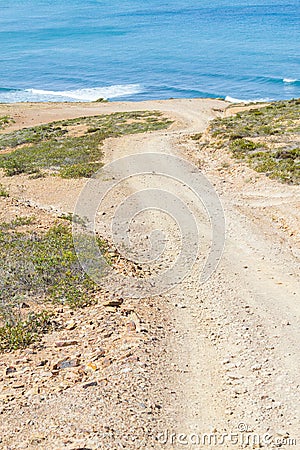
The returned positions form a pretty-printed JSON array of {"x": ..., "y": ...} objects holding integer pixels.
[{"x": 70, "y": 148}]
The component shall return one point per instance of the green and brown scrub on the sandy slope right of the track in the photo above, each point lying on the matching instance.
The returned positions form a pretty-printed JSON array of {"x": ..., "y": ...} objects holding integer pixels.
[{"x": 267, "y": 138}]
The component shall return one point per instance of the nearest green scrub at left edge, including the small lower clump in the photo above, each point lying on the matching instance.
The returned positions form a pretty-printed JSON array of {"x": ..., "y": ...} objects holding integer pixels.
[{"x": 41, "y": 267}]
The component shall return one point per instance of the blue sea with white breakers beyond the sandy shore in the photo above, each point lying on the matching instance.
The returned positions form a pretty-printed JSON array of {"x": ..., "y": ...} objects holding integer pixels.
[{"x": 80, "y": 50}]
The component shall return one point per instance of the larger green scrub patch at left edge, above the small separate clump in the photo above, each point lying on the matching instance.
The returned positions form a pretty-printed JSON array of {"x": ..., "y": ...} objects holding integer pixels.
[{"x": 40, "y": 265}]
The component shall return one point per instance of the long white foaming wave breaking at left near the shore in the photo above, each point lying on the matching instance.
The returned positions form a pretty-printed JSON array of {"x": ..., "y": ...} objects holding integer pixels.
[{"x": 76, "y": 95}]
